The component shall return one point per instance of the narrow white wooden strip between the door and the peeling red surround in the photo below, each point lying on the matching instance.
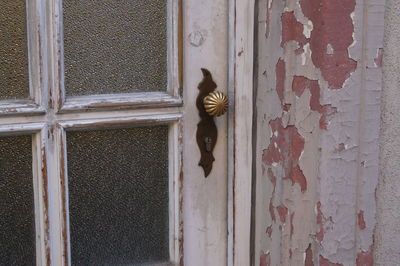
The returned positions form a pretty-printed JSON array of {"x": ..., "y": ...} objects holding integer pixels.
[{"x": 242, "y": 56}]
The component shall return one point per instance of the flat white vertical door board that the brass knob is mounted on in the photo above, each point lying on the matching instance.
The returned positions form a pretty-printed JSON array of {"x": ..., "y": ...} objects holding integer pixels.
[{"x": 205, "y": 45}]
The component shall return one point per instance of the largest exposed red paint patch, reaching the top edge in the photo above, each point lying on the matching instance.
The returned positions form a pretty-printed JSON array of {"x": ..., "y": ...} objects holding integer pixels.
[{"x": 332, "y": 25}]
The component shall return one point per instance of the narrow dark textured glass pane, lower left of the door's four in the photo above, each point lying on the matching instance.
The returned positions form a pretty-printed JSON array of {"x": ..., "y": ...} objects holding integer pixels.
[{"x": 17, "y": 219}]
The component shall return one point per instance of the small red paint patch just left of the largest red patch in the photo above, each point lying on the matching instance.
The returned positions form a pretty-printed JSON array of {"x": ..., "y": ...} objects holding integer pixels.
[{"x": 292, "y": 30}]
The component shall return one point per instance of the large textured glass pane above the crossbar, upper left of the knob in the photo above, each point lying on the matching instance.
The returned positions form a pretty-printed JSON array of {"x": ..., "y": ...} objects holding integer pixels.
[{"x": 115, "y": 46}]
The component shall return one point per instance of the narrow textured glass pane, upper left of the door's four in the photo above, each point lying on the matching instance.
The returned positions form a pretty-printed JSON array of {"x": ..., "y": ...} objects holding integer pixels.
[{"x": 13, "y": 50}]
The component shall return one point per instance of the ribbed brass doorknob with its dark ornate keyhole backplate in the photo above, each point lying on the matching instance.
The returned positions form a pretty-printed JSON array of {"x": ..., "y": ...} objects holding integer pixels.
[{"x": 210, "y": 103}]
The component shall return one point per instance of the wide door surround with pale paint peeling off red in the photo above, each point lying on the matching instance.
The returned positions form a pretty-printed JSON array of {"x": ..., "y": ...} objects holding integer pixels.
[{"x": 318, "y": 112}]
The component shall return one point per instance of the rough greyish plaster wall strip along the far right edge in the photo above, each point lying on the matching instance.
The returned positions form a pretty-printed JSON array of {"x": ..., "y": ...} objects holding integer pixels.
[{"x": 387, "y": 251}]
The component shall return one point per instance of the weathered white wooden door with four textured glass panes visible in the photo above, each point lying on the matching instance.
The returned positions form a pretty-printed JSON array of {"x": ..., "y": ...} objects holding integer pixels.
[{"x": 99, "y": 159}]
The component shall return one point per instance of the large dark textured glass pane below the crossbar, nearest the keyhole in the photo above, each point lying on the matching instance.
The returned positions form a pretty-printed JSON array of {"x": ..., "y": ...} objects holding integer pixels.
[{"x": 118, "y": 196}]
